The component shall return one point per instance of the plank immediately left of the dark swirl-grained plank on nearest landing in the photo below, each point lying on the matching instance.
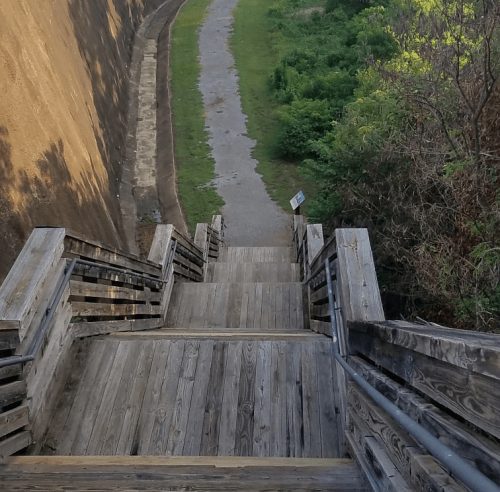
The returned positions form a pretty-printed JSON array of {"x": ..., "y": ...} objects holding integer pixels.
[{"x": 229, "y": 409}]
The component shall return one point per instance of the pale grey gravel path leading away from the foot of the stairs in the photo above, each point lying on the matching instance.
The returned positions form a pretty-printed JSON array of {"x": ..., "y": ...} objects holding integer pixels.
[{"x": 251, "y": 217}]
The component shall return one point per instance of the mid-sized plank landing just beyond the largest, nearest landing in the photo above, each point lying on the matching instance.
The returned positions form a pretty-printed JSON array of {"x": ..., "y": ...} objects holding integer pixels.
[{"x": 266, "y": 306}]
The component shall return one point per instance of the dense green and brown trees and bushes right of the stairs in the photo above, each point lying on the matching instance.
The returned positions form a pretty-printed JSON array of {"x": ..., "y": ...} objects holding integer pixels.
[{"x": 396, "y": 117}]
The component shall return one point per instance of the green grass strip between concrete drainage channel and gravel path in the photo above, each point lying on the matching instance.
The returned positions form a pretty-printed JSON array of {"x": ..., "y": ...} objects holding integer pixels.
[{"x": 195, "y": 166}]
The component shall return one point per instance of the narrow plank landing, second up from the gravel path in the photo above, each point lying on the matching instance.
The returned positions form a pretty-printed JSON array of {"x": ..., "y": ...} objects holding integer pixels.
[{"x": 252, "y": 272}]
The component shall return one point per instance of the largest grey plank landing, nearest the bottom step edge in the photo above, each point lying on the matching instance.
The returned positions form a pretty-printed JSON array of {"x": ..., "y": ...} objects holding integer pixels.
[{"x": 195, "y": 397}]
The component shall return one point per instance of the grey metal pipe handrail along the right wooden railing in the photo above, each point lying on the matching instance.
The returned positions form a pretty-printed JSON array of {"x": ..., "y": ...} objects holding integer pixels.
[{"x": 454, "y": 464}]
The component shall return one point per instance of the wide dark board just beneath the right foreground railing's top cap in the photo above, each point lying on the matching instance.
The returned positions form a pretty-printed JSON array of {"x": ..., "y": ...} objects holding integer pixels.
[{"x": 472, "y": 395}]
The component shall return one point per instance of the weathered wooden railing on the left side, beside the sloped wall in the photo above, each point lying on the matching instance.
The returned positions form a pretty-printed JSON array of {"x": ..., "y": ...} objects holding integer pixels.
[{"x": 64, "y": 286}]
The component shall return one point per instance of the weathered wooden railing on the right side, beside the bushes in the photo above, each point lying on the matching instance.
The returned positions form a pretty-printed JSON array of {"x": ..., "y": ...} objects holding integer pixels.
[{"x": 445, "y": 379}]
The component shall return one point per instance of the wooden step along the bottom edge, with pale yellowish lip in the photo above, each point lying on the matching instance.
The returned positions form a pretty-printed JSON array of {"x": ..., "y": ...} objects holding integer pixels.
[{"x": 150, "y": 473}]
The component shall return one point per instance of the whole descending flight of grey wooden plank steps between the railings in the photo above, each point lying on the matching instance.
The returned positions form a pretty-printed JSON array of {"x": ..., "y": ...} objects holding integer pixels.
[{"x": 234, "y": 393}]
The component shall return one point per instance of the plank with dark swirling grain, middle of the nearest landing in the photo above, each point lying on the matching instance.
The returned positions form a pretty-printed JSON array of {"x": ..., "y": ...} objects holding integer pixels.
[{"x": 246, "y": 400}]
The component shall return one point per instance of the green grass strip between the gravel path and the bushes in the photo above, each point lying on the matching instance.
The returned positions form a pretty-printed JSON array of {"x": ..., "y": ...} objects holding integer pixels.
[{"x": 257, "y": 51}]
